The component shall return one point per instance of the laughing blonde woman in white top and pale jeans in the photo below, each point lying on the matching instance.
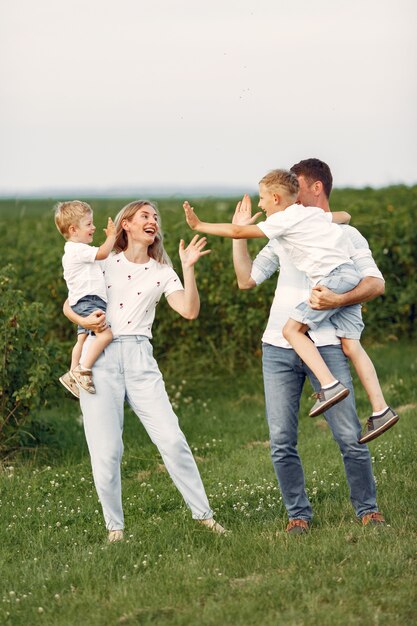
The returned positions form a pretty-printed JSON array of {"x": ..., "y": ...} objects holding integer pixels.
[{"x": 136, "y": 277}]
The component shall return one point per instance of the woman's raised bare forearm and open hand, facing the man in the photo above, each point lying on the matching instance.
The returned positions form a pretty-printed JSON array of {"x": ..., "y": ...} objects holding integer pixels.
[{"x": 187, "y": 301}]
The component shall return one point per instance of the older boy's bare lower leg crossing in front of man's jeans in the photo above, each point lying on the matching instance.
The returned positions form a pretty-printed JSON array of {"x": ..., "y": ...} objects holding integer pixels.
[{"x": 294, "y": 333}]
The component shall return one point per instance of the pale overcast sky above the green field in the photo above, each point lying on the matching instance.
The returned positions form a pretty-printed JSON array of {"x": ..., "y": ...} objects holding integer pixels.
[{"x": 98, "y": 94}]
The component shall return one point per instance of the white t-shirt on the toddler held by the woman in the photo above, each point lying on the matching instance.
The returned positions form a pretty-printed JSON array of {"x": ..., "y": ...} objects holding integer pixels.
[{"x": 82, "y": 273}]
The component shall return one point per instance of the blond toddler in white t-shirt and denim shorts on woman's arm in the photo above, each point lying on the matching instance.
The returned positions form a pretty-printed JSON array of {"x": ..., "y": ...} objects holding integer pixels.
[{"x": 86, "y": 286}]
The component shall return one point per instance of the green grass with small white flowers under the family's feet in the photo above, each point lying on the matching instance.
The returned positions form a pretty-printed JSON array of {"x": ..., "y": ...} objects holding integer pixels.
[{"x": 56, "y": 568}]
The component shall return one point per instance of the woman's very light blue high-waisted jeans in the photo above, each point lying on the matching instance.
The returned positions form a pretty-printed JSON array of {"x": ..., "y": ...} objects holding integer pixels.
[{"x": 126, "y": 370}]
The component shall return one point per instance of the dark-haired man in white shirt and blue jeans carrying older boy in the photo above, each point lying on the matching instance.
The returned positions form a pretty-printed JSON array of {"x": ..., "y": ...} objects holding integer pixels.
[{"x": 283, "y": 371}]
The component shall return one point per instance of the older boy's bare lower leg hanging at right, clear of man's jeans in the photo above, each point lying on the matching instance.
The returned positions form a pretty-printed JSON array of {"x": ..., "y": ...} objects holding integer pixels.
[{"x": 366, "y": 372}]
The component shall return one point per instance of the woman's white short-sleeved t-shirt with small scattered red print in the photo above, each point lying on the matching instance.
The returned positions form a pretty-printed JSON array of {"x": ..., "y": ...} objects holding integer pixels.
[{"x": 133, "y": 291}]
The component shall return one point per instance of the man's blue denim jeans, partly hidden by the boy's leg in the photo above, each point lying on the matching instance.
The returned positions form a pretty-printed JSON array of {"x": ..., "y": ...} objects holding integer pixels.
[{"x": 284, "y": 375}]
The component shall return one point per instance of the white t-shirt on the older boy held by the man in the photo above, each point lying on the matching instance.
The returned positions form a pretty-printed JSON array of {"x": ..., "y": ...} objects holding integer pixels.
[{"x": 311, "y": 241}]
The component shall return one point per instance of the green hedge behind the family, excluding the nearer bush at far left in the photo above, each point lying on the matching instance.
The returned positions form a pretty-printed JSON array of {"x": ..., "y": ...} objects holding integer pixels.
[{"x": 231, "y": 322}]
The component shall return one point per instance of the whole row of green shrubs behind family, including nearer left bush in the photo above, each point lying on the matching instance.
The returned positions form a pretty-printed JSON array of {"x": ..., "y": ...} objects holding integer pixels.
[{"x": 36, "y": 338}]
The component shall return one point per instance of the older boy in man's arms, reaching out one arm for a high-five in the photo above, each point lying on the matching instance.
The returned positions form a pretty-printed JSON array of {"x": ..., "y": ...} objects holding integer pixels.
[{"x": 318, "y": 248}]
